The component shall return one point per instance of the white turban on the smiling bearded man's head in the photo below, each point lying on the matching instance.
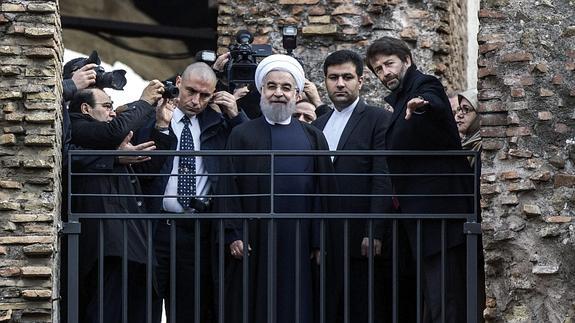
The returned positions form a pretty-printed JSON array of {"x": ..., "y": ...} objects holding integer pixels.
[{"x": 280, "y": 62}]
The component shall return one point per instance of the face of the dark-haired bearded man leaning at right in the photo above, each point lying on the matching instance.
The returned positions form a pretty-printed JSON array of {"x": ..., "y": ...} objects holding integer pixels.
[{"x": 390, "y": 70}]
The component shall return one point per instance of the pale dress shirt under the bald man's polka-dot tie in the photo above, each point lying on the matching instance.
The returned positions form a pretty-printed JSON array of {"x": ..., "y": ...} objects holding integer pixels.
[{"x": 171, "y": 204}]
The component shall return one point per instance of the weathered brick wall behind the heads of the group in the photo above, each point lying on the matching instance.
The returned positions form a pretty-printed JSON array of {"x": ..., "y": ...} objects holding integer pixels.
[{"x": 435, "y": 30}]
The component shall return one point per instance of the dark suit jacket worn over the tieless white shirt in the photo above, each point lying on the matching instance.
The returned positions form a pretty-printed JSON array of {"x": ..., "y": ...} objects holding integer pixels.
[{"x": 365, "y": 130}]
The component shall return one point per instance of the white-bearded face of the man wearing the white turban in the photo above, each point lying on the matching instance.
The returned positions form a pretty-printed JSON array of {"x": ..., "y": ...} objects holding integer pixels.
[{"x": 279, "y": 96}]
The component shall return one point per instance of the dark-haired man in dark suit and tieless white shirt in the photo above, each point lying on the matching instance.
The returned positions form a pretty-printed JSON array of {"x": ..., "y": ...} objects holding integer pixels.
[{"x": 354, "y": 125}]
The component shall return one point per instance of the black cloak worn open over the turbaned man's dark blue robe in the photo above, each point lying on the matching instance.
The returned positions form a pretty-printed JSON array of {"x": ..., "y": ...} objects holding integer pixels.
[{"x": 255, "y": 135}]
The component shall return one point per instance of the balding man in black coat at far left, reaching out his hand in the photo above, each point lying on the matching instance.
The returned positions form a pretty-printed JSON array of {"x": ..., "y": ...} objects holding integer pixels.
[{"x": 94, "y": 125}]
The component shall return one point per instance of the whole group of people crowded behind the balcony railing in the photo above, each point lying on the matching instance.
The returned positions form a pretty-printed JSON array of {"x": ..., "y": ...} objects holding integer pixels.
[{"x": 293, "y": 117}]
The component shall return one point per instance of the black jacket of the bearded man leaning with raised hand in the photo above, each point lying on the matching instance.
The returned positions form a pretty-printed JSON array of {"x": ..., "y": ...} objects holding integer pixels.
[{"x": 432, "y": 128}]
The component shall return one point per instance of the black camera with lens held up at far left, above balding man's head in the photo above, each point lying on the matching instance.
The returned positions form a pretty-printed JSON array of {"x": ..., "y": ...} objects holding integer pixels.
[{"x": 115, "y": 79}]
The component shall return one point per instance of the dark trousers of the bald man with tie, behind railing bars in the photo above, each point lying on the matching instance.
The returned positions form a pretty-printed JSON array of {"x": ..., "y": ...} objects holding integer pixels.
[{"x": 184, "y": 271}]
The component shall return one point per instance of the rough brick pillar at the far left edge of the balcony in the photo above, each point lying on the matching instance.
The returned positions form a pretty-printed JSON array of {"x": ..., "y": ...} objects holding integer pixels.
[{"x": 30, "y": 95}]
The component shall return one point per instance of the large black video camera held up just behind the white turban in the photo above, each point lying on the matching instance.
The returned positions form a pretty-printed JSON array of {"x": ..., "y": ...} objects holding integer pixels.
[{"x": 243, "y": 59}]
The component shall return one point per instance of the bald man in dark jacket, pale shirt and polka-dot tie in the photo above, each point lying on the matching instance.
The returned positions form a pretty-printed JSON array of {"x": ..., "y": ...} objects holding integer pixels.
[{"x": 202, "y": 120}]
